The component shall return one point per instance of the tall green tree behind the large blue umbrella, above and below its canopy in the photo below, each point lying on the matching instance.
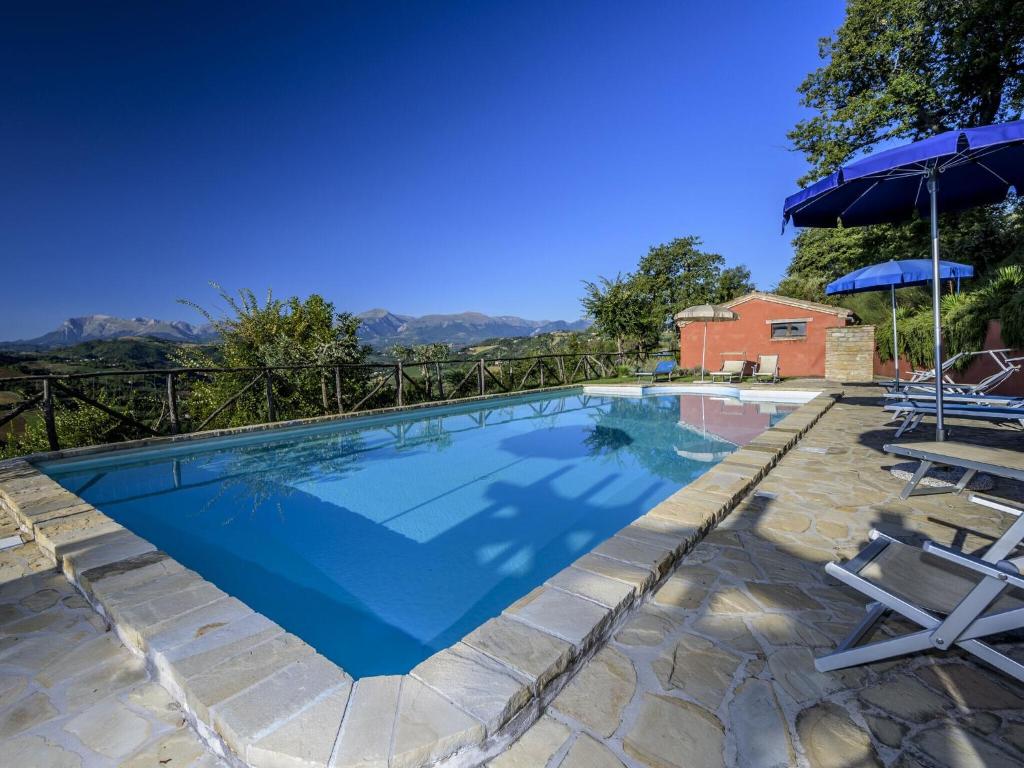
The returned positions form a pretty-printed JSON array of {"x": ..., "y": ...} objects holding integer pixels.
[{"x": 900, "y": 71}]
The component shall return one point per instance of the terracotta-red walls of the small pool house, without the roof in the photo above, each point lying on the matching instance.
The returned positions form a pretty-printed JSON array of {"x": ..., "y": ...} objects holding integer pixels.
[{"x": 751, "y": 336}]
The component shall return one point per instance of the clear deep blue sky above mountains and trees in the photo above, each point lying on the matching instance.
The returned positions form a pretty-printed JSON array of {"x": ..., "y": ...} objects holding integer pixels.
[{"x": 425, "y": 157}]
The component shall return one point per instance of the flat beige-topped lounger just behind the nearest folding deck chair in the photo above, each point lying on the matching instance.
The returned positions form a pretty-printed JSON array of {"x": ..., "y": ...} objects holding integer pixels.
[{"x": 974, "y": 459}]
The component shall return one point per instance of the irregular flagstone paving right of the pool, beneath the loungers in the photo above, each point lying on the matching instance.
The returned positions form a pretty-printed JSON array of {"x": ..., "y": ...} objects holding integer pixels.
[{"x": 717, "y": 670}]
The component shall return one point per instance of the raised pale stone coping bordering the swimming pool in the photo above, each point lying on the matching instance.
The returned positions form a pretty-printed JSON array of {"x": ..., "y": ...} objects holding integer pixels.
[{"x": 460, "y": 707}]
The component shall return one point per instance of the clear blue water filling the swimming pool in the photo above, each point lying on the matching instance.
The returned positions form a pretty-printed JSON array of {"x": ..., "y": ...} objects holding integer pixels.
[{"x": 381, "y": 541}]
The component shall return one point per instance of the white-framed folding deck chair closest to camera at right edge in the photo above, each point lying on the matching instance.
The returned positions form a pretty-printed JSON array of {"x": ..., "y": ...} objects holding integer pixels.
[{"x": 958, "y": 600}]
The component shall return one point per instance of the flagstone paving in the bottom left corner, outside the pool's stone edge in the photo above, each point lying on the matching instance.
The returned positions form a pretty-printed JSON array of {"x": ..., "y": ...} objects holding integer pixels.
[{"x": 71, "y": 695}]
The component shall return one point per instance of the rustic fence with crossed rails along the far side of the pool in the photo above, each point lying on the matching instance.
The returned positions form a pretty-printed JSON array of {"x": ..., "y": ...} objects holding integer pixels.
[{"x": 158, "y": 402}]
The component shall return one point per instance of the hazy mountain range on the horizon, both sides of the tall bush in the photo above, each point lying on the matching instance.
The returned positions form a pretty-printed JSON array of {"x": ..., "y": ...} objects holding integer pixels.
[{"x": 380, "y": 328}]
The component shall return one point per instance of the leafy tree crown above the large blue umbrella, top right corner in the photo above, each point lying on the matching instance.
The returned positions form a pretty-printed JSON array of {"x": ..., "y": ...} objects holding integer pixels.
[{"x": 910, "y": 69}]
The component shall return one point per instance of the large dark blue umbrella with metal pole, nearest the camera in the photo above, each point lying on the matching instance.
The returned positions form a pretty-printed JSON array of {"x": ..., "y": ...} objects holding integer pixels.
[{"x": 949, "y": 173}]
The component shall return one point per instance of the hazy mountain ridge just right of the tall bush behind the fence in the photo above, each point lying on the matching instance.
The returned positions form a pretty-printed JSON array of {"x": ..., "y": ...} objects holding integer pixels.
[{"x": 382, "y": 328}]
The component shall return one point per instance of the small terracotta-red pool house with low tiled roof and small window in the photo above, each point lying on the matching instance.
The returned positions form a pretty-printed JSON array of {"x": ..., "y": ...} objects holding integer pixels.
[{"x": 767, "y": 324}]
